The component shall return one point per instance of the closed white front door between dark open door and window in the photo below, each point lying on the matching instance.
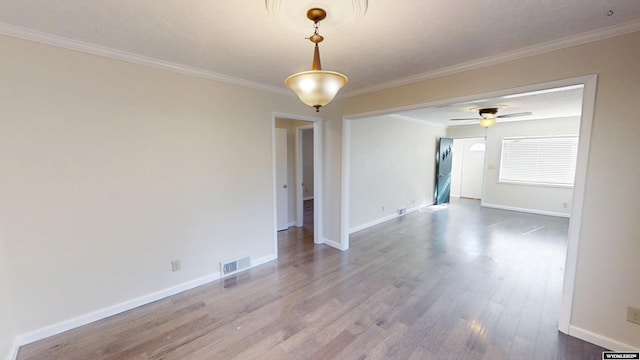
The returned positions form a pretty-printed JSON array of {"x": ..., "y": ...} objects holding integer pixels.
[{"x": 472, "y": 168}]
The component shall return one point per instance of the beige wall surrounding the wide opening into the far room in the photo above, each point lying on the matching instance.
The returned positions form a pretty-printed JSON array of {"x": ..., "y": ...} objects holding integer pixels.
[{"x": 606, "y": 279}]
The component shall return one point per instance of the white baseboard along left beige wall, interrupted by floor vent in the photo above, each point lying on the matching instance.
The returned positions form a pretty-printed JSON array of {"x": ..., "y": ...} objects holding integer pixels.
[{"x": 122, "y": 307}]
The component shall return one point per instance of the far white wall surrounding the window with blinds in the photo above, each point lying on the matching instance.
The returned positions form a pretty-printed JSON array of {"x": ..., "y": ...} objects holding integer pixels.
[{"x": 539, "y": 199}]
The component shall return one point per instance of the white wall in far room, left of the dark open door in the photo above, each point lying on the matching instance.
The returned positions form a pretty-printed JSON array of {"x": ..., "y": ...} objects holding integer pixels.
[{"x": 392, "y": 167}]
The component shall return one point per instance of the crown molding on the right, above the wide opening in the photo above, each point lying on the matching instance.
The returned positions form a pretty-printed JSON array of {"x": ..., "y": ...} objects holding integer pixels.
[{"x": 580, "y": 39}]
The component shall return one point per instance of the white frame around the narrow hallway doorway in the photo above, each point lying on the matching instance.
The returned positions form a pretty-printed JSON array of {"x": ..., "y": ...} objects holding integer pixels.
[{"x": 318, "y": 220}]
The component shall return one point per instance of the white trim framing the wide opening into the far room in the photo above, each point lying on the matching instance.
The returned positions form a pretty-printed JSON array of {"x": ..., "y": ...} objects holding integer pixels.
[{"x": 575, "y": 222}]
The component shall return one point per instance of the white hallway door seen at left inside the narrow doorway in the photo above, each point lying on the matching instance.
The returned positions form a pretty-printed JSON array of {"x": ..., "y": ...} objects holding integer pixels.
[{"x": 282, "y": 191}]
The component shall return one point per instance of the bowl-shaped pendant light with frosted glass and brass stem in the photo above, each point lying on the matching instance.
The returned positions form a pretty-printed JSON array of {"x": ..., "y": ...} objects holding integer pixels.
[{"x": 316, "y": 87}]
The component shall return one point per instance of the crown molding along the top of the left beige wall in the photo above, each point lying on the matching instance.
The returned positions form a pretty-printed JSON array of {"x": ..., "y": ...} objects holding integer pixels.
[{"x": 71, "y": 44}]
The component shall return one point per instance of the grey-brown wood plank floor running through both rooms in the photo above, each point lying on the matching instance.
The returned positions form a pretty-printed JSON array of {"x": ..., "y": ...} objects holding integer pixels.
[{"x": 457, "y": 282}]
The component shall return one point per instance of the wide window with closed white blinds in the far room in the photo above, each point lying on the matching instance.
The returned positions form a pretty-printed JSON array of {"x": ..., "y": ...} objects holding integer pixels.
[{"x": 549, "y": 160}]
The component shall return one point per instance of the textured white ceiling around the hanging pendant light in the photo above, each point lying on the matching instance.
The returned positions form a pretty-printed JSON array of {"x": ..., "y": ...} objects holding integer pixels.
[{"x": 377, "y": 44}]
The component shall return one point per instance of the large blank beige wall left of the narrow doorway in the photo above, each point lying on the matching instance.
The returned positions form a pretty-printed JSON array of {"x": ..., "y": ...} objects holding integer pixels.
[{"x": 112, "y": 170}]
